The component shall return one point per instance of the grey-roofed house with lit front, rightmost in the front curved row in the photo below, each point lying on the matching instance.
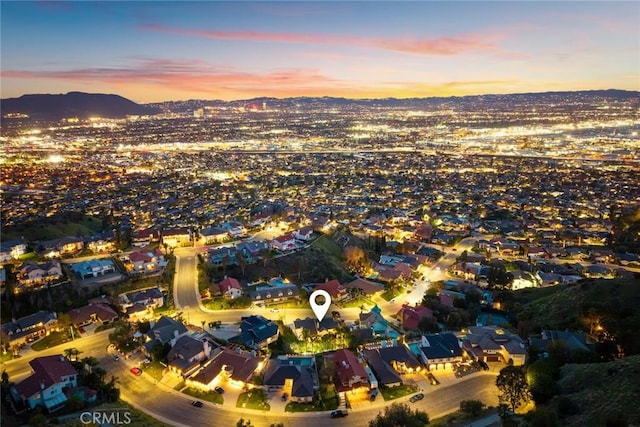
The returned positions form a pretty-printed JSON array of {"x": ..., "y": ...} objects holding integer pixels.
[{"x": 494, "y": 344}]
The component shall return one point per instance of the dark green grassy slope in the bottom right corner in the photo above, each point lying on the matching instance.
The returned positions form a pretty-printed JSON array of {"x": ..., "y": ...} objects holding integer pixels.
[{"x": 602, "y": 391}]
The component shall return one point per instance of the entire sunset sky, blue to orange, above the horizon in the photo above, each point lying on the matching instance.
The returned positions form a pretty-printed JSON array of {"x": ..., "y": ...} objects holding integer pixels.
[{"x": 160, "y": 51}]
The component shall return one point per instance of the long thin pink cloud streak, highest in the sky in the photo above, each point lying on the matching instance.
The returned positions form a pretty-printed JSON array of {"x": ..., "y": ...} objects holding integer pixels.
[{"x": 468, "y": 43}]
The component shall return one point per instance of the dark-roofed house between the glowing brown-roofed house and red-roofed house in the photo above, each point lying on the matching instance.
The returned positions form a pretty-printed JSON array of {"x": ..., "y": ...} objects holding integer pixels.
[{"x": 295, "y": 375}]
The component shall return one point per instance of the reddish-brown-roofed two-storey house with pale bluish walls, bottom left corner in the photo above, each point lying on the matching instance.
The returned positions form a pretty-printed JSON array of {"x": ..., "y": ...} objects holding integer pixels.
[{"x": 45, "y": 387}]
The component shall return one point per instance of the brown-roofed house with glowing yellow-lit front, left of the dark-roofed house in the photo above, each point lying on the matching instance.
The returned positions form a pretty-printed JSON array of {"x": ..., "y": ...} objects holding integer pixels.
[{"x": 234, "y": 366}]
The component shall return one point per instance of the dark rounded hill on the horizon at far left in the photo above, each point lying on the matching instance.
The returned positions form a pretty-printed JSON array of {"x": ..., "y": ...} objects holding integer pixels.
[{"x": 74, "y": 104}]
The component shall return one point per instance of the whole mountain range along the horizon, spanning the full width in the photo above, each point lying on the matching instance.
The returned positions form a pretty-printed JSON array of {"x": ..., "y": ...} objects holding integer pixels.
[{"x": 85, "y": 105}]
